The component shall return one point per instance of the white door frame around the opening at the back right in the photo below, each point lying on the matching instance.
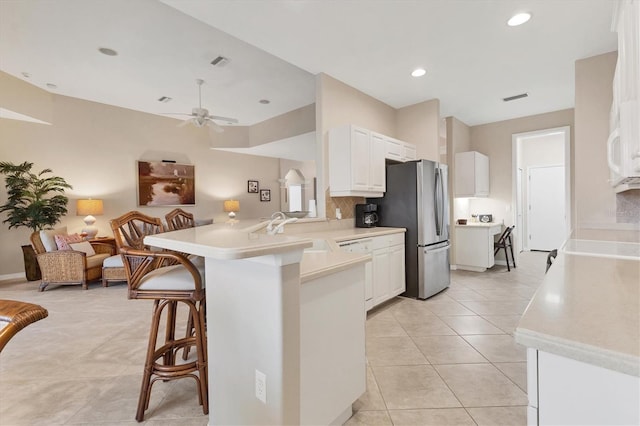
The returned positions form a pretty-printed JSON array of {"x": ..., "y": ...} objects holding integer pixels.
[{"x": 516, "y": 141}]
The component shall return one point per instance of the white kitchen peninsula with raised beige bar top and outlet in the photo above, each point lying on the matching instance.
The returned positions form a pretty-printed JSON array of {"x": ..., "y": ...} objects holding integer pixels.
[{"x": 281, "y": 319}]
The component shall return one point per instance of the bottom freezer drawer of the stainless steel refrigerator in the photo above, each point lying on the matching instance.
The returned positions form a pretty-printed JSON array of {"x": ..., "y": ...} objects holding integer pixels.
[{"x": 434, "y": 274}]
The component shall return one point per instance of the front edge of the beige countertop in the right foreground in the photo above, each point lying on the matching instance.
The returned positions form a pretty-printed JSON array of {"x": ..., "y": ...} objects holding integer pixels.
[{"x": 627, "y": 364}]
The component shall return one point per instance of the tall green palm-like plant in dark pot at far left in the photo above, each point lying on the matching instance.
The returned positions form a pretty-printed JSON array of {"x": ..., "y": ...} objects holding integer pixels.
[{"x": 34, "y": 201}]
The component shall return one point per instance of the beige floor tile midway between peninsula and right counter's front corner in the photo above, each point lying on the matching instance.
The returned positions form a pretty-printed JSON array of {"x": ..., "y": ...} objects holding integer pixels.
[{"x": 448, "y": 350}]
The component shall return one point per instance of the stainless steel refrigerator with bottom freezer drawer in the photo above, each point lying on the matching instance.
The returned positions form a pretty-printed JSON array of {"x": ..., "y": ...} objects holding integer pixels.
[{"x": 417, "y": 199}]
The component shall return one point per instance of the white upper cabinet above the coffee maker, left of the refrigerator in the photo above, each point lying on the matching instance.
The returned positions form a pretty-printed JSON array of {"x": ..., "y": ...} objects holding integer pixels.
[{"x": 356, "y": 162}]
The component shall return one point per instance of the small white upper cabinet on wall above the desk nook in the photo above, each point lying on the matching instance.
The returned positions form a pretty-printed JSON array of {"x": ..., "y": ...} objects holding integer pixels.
[{"x": 471, "y": 174}]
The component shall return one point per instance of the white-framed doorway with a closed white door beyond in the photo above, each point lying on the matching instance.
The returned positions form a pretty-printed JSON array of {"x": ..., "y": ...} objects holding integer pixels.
[{"x": 543, "y": 155}]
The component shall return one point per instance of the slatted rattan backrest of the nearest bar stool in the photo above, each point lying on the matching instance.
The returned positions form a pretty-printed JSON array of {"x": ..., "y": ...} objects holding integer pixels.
[{"x": 130, "y": 229}]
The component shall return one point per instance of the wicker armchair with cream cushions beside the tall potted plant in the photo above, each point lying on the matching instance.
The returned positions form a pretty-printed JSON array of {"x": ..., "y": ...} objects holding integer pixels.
[{"x": 63, "y": 267}]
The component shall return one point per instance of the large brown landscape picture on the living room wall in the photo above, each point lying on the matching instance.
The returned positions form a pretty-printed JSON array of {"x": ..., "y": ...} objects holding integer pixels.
[{"x": 162, "y": 183}]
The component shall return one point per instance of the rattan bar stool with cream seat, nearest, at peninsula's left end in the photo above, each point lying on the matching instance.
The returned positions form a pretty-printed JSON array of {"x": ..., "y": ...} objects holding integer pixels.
[{"x": 168, "y": 279}]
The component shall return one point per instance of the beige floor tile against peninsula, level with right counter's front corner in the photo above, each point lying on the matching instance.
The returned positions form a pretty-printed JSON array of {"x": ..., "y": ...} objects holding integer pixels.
[{"x": 393, "y": 351}]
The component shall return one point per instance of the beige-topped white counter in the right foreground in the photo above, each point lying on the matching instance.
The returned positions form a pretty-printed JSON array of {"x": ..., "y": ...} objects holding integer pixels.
[{"x": 582, "y": 330}]
